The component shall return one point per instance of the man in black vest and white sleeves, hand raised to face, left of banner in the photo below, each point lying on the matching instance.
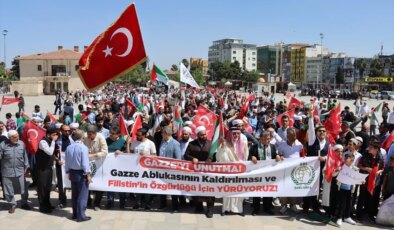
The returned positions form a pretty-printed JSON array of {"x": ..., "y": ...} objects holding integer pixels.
[{"x": 43, "y": 169}]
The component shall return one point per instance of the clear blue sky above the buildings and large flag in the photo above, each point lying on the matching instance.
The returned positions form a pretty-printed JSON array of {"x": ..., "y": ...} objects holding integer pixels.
[{"x": 175, "y": 29}]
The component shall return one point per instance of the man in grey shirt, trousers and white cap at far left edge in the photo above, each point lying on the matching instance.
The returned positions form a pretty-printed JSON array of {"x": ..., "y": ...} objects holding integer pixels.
[{"x": 14, "y": 167}]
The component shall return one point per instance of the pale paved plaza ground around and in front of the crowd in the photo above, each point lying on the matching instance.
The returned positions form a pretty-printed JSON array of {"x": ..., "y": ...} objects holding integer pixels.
[{"x": 155, "y": 219}]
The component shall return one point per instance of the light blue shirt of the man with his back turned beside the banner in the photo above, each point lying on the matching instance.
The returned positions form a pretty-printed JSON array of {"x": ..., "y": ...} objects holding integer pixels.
[{"x": 77, "y": 157}]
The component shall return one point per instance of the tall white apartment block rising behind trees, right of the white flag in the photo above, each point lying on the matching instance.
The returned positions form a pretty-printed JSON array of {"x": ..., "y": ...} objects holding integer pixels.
[{"x": 233, "y": 50}]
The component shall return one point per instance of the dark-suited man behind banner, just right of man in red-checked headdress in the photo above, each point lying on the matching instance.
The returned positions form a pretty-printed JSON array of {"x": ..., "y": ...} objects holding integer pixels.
[{"x": 263, "y": 151}]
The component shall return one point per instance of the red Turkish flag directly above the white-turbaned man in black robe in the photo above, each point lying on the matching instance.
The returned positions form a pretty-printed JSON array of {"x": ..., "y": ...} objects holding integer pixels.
[{"x": 205, "y": 117}]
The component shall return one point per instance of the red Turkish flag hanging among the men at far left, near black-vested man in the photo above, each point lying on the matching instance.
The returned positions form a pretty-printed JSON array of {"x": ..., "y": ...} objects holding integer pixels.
[{"x": 32, "y": 134}]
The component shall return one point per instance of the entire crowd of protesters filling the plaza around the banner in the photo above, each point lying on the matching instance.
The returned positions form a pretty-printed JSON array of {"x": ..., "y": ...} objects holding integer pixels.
[{"x": 254, "y": 134}]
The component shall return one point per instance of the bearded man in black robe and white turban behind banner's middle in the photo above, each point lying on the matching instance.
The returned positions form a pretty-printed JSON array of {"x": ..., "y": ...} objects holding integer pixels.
[{"x": 198, "y": 150}]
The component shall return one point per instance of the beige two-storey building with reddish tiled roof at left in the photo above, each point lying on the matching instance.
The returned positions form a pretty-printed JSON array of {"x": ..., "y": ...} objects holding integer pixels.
[{"x": 46, "y": 73}]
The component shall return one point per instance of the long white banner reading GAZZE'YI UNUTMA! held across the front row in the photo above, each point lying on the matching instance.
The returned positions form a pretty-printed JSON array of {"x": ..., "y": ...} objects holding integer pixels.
[{"x": 146, "y": 174}]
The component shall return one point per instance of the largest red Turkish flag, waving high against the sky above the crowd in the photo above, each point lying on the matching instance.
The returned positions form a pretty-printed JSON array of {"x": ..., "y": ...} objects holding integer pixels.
[{"x": 116, "y": 51}]
